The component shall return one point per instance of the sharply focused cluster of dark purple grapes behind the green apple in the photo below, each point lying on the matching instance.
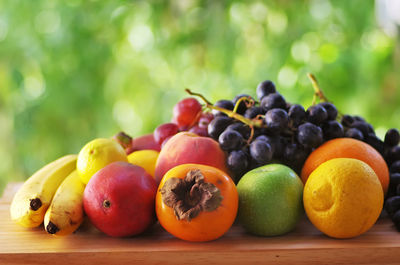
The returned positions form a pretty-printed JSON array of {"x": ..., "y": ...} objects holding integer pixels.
[{"x": 283, "y": 132}]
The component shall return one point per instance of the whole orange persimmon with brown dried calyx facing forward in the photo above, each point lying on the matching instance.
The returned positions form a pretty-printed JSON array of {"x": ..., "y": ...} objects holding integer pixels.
[{"x": 196, "y": 202}]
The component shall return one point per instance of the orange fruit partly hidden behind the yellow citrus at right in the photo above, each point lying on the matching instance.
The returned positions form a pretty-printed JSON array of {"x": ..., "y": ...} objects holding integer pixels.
[{"x": 347, "y": 148}]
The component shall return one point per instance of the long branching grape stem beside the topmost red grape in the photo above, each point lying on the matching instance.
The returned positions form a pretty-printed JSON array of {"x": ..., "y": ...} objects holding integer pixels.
[{"x": 233, "y": 114}]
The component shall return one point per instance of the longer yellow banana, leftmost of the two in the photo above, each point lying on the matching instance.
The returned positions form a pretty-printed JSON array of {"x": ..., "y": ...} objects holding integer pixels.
[{"x": 31, "y": 201}]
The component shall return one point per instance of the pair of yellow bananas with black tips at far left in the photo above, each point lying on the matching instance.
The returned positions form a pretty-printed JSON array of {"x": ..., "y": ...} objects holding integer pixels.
[{"x": 53, "y": 194}]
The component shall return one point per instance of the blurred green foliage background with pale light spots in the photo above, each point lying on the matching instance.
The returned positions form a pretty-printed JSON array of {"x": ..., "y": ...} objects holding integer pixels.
[{"x": 74, "y": 70}]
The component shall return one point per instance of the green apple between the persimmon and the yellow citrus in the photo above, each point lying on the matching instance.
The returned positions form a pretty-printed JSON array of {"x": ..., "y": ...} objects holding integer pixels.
[{"x": 270, "y": 200}]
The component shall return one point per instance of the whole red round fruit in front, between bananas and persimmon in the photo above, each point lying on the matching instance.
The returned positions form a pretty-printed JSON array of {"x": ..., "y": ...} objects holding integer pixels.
[{"x": 119, "y": 199}]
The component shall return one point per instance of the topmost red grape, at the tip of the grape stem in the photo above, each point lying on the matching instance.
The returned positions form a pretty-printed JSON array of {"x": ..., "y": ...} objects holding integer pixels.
[{"x": 186, "y": 113}]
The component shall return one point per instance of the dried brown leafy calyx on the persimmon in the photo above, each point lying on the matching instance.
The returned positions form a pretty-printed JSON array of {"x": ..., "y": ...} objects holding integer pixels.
[{"x": 191, "y": 195}]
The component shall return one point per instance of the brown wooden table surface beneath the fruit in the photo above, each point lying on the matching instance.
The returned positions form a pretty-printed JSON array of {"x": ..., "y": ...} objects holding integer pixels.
[{"x": 305, "y": 245}]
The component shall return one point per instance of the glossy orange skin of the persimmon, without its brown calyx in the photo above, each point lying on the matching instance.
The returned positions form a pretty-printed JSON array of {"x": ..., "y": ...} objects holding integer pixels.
[{"x": 207, "y": 225}]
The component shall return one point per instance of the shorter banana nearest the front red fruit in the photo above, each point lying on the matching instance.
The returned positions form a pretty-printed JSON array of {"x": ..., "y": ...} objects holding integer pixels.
[{"x": 65, "y": 213}]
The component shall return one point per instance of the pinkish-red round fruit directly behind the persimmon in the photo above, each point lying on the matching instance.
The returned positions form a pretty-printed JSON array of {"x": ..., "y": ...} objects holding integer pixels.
[{"x": 186, "y": 147}]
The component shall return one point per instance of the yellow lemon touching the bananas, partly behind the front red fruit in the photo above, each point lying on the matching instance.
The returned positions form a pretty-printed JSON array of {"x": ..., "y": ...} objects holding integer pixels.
[{"x": 97, "y": 154}]
